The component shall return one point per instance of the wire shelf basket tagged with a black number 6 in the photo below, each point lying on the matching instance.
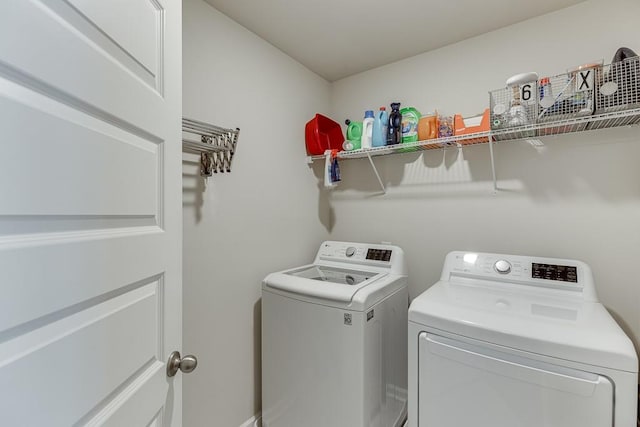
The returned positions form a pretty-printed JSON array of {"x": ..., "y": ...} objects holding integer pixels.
[{"x": 513, "y": 108}]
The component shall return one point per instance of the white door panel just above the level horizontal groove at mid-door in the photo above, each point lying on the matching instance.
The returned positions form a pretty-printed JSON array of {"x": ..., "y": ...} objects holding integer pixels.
[{"x": 119, "y": 172}]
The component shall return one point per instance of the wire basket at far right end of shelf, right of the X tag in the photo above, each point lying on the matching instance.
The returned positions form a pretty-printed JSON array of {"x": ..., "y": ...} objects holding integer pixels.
[{"x": 618, "y": 89}]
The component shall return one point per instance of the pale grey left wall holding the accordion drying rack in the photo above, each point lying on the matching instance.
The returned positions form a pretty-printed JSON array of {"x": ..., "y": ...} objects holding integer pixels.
[{"x": 264, "y": 216}]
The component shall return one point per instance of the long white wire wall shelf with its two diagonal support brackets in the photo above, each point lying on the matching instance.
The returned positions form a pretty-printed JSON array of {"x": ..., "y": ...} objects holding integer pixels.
[{"x": 532, "y": 133}]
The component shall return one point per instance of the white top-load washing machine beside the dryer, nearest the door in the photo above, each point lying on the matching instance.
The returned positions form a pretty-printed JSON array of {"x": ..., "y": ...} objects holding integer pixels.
[{"x": 334, "y": 344}]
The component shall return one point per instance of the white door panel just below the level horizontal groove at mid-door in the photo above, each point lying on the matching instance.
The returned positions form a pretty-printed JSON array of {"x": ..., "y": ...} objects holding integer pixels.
[{"x": 51, "y": 274}]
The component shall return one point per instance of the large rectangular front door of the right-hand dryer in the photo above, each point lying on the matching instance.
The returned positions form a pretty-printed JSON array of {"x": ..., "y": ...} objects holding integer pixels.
[{"x": 461, "y": 384}]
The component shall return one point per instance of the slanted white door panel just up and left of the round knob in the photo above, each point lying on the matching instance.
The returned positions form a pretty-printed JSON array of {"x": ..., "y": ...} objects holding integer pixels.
[{"x": 73, "y": 347}]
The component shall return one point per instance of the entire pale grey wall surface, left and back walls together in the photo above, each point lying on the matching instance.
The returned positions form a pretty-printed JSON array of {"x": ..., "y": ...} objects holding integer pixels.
[{"x": 579, "y": 196}]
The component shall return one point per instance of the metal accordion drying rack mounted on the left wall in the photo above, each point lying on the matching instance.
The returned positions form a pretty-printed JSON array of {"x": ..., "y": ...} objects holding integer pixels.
[{"x": 216, "y": 145}]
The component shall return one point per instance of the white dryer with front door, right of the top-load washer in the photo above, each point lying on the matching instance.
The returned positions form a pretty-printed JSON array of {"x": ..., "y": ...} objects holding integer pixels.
[{"x": 515, "y": 341}]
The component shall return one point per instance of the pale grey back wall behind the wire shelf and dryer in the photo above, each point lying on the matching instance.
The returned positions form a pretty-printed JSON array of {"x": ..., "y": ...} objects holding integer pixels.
[{"x": 578, "y": 197}]
